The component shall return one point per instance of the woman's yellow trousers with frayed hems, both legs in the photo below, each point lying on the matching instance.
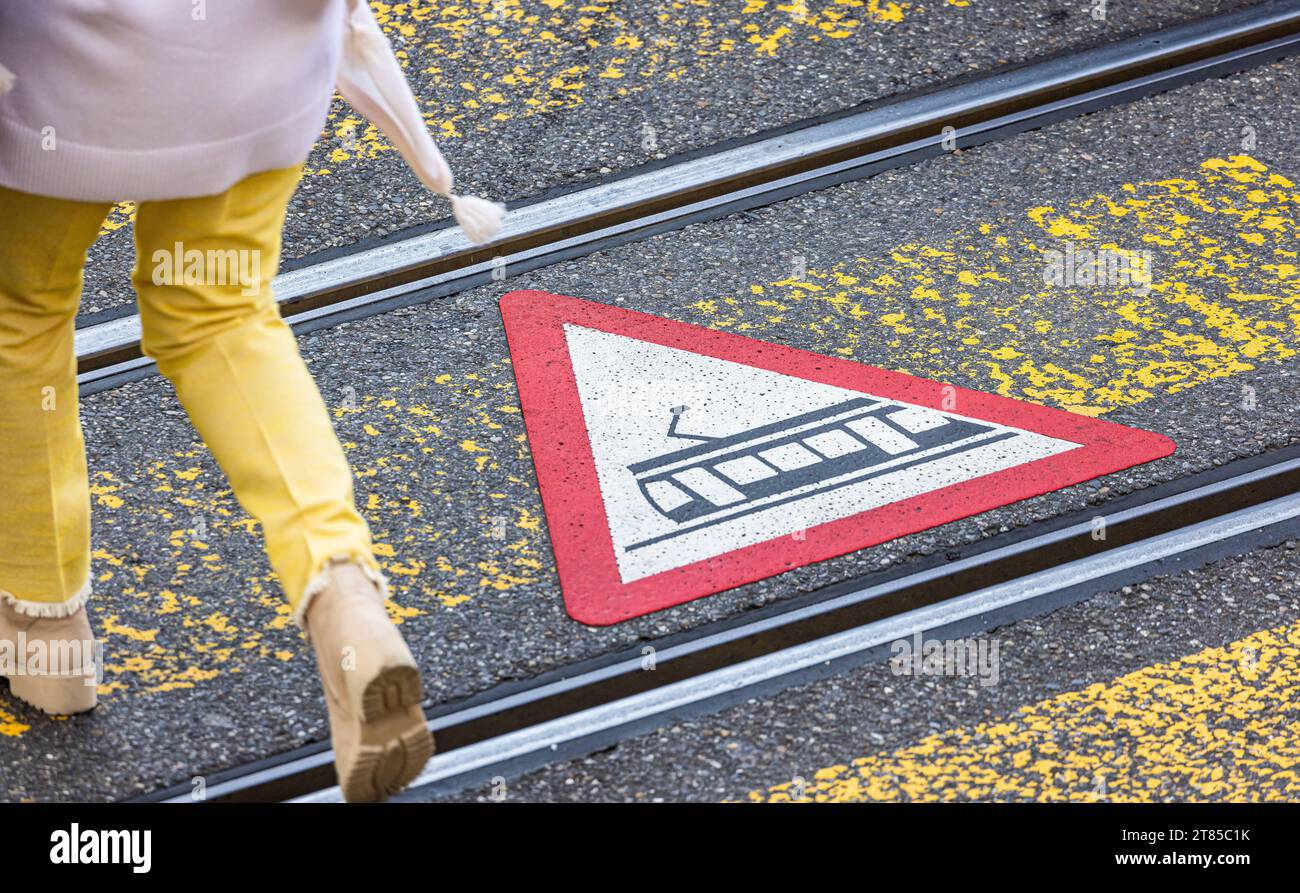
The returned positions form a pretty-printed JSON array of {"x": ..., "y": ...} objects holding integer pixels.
[{"x": 210, "y": 320}]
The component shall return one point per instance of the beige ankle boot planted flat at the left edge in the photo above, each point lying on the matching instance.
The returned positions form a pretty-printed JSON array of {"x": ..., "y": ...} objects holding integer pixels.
[{"x": 50, "y": 662}]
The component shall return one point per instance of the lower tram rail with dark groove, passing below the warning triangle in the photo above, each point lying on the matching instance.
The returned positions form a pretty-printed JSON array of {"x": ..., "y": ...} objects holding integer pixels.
[{"x": 578, "y": 709}]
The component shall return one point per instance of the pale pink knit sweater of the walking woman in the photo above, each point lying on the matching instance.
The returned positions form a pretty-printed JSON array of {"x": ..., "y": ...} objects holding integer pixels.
[{"x": 162, "y": 99}]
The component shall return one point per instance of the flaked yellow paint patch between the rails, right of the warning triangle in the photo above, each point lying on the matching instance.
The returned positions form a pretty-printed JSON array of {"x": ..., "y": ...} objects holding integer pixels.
[{"x": 974, "y": 307}]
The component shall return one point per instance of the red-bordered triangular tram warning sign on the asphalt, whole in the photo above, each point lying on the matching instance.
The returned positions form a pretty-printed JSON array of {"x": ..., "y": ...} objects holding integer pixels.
[{"x": 677, "y": 462}]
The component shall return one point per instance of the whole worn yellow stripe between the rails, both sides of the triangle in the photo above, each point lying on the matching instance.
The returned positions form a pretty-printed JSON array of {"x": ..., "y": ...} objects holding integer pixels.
[{"x": 950, "y": 311}]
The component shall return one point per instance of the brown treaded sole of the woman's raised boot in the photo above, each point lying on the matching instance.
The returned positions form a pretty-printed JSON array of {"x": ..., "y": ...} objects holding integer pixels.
[{"x": 396, "y": 743}]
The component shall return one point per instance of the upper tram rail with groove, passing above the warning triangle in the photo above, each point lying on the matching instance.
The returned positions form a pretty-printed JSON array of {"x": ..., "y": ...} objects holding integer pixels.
[{"x": 759, "y": 172}]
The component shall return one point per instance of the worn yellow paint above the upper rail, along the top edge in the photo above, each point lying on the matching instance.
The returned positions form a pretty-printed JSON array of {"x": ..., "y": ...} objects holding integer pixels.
[{"x": 514, "y": 59}]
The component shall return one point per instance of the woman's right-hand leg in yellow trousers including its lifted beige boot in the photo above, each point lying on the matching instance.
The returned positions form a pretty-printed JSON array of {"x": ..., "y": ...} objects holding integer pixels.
[{"x": 203, "y": 276}]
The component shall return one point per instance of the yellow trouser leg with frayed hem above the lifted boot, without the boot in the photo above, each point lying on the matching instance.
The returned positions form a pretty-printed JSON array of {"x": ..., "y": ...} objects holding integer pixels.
[{"x": 210, "y": 320}]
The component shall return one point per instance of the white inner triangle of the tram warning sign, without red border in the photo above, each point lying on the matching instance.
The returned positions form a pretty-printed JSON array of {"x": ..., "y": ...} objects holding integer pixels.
[{"x": 629, "y": 391}]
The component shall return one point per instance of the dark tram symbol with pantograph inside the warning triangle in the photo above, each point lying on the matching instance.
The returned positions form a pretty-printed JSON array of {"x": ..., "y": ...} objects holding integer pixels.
[{"x": 783, "y": 462}]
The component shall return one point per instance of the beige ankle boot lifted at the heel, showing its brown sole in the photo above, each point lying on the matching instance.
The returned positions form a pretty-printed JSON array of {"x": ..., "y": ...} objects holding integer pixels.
[{"x": 372, "y": 687}]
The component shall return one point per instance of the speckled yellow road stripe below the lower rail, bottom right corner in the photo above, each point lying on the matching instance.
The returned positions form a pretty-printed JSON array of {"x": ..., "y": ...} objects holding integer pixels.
[{"x": 1220, "y": 725}]
